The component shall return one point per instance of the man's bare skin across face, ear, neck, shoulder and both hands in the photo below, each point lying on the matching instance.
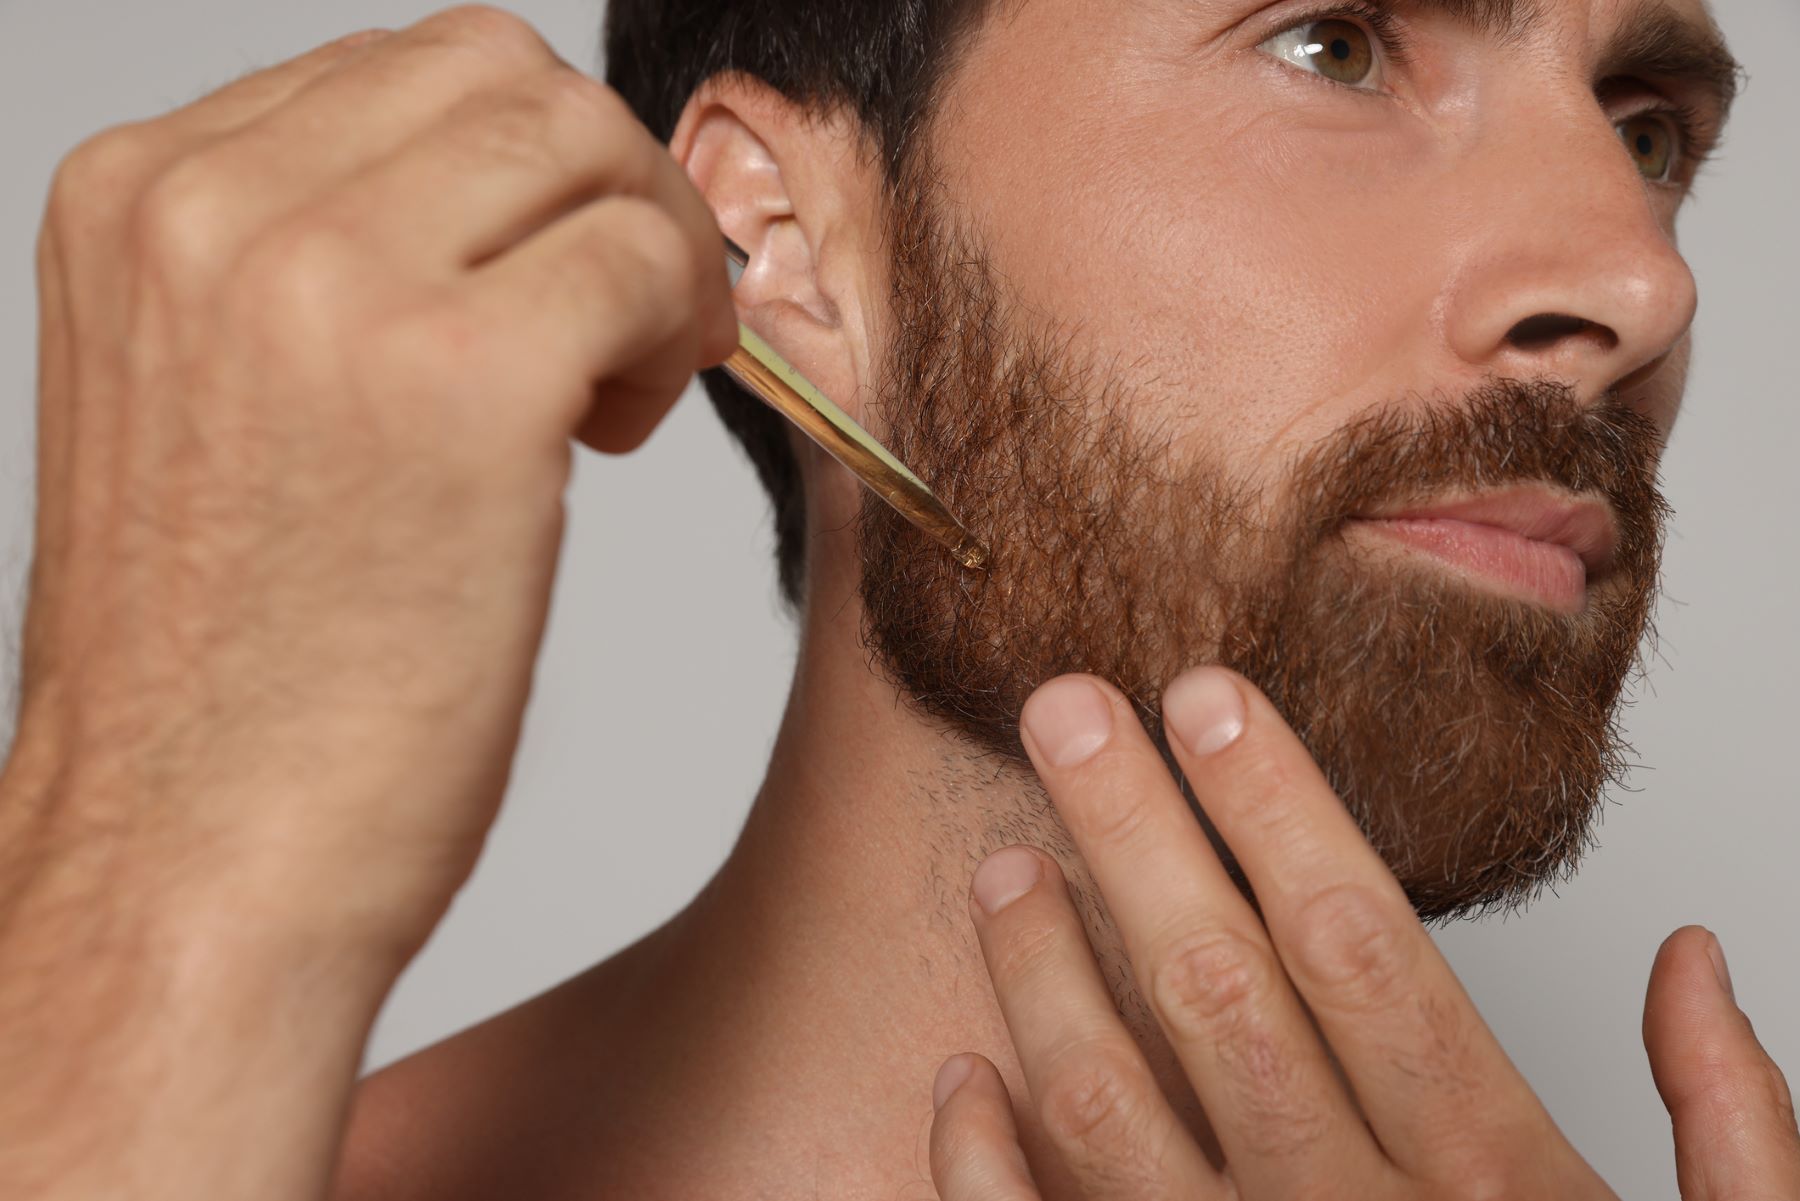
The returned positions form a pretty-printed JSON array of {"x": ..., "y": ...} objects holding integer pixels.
[{"x": 337, "y": 323}]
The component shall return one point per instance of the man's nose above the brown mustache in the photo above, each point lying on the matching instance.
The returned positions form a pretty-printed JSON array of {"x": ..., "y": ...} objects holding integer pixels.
[{"x": 1569, "y": 273}]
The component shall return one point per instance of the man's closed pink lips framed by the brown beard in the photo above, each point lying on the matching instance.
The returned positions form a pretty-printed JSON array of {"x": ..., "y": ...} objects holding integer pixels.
[{"x": 1525, "y": 541}]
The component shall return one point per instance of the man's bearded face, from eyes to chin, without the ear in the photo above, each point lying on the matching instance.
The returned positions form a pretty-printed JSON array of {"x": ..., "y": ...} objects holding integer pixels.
[{"x": 1196, "y": 298}]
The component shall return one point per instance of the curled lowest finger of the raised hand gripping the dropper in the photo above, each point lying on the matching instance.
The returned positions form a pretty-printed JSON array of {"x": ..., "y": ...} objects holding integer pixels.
[{"x": 597, "y": 309}]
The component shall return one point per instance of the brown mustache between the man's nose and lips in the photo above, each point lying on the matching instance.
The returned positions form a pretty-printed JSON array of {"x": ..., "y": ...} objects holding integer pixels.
[{"x": 1500, "y": 433}]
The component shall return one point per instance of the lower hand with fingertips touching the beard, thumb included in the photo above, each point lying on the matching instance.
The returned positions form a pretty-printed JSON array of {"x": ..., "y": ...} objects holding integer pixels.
[{"x": 1329, "y": 1043}]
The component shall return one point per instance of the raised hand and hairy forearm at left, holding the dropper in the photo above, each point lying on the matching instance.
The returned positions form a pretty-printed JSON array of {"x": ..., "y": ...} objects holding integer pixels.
[{"x": 312, "y": 356}]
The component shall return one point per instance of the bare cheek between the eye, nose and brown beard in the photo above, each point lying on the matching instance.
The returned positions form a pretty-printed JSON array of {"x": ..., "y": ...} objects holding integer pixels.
[{"x": 1257, "y": 264}]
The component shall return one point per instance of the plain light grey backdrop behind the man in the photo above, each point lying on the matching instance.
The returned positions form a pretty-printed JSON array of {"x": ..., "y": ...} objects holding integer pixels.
[{"x": 667, "y": 662}]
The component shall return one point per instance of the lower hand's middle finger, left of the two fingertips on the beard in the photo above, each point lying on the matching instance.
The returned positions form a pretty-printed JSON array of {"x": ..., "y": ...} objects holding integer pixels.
[{"x": 1284, "y": 1121}]
